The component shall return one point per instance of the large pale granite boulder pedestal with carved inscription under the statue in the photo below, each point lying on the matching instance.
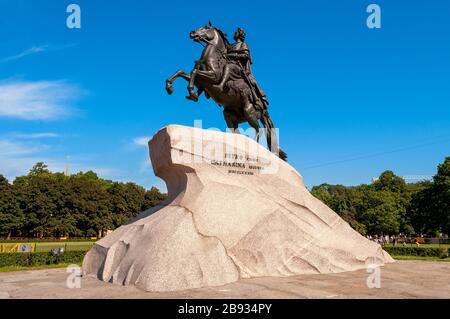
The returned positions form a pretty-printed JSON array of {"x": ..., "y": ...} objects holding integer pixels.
[{"x": 234, "y": 210}]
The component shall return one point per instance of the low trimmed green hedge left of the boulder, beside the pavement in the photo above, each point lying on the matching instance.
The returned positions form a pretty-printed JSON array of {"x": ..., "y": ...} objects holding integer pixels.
[{"x": 40, "y": 259}]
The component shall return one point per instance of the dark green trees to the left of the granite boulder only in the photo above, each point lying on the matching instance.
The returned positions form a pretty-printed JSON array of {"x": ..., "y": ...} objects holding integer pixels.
[{"x": 45, "y": 204}]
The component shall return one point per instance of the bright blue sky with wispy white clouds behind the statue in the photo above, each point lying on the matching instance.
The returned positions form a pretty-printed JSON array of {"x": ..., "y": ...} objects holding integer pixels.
[{"x": 350, "y": 102}]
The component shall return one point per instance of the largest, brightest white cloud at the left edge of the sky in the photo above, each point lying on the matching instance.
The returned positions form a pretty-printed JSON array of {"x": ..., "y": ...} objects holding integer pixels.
[{"x": 40, "y": 100}]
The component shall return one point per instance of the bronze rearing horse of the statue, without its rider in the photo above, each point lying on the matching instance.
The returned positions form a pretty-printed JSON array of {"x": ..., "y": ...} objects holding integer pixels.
[{"x": 237, "y": 98}]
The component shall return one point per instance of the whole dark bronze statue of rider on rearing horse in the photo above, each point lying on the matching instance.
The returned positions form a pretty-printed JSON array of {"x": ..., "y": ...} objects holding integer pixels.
[{"x": 224, "y": 74}]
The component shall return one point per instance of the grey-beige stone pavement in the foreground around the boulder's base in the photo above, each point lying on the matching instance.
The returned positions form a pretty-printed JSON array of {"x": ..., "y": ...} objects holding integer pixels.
[{"x": 403, "y": 279}]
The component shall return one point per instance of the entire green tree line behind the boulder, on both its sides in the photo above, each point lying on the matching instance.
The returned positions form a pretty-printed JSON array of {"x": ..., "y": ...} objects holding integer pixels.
[{"x": 45, "y": 204}]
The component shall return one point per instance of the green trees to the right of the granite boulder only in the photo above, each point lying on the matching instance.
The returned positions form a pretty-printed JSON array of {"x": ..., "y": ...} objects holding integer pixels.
[{"x": 391, "y": 206}]
